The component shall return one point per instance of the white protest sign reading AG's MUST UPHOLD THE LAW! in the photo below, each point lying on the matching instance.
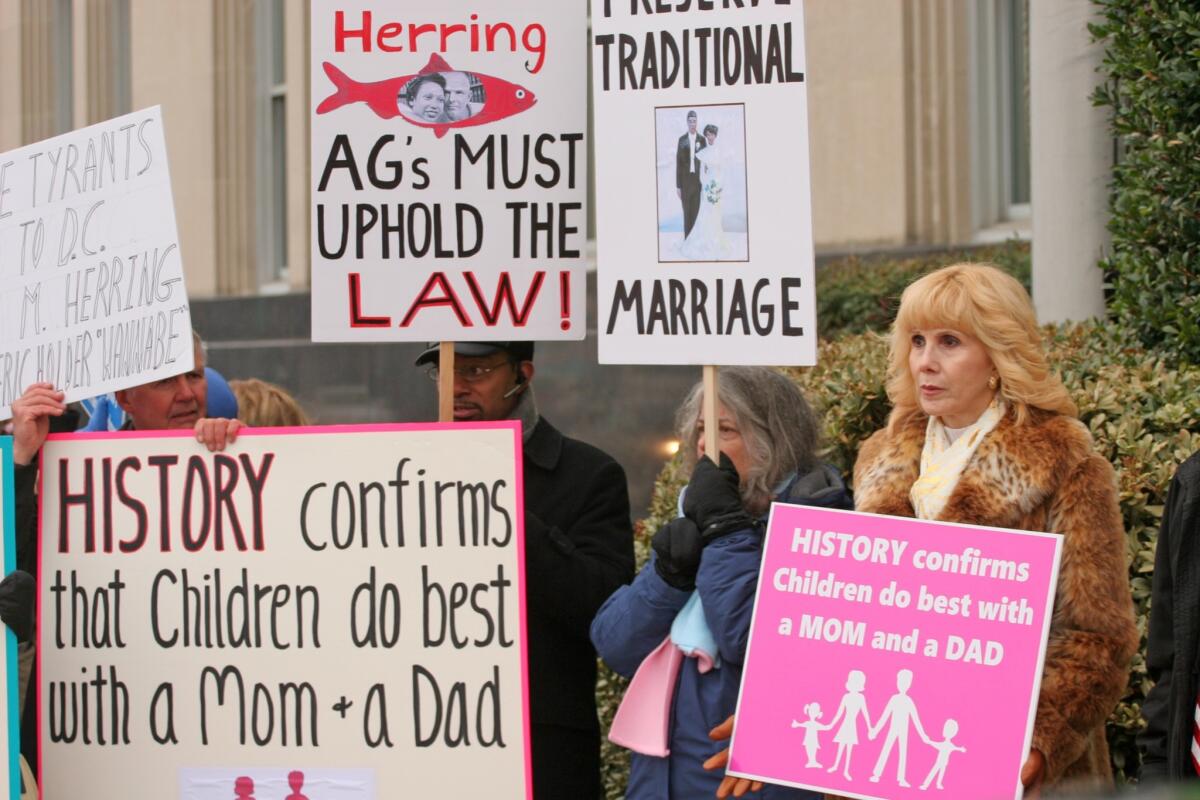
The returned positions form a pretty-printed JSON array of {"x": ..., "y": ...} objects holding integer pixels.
[{"x": 449, "y": 171}]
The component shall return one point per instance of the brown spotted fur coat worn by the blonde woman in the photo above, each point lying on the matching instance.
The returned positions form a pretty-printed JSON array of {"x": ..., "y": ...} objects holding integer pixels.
[{"x": 1043, "y": 476}]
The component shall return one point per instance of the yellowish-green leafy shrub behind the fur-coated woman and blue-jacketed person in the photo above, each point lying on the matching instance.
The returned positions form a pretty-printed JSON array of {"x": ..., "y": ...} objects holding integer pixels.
[{"x": 1145, "y": 418}]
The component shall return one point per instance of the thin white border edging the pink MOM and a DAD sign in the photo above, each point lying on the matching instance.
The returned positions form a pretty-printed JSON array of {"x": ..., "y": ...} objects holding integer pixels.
[{"x": 1042, "y": 648}]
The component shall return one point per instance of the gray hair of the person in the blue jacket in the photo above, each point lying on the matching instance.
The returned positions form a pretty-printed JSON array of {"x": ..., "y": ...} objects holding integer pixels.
[{"x": 777, "y": 424}]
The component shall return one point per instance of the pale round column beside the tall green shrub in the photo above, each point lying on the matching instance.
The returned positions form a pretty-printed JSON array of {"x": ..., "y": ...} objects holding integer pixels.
[{"x": 1071, "y": 163}]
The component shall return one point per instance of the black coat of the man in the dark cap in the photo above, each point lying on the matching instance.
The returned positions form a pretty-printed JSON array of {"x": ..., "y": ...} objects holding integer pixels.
[{"x": 579, "y": 551}]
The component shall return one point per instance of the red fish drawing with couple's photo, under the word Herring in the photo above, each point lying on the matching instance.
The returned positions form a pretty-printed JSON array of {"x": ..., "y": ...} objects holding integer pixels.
[{"x": 386, "y": 99}]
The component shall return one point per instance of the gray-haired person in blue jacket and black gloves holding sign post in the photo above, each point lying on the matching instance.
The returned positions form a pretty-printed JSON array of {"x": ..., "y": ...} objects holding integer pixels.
[{"x": 682, "y": 627}]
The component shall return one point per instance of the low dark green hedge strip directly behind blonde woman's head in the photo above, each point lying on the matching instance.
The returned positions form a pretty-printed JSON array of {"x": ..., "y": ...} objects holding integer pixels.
[{"x": 857, "y": 294}]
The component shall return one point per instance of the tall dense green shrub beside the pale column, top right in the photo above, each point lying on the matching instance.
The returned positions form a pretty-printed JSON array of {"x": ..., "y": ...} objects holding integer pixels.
[{"x": 1153, "y": 88}]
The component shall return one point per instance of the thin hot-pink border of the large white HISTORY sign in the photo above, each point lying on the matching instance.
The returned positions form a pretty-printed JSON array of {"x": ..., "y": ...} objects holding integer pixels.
[{"x": 317, "y": 430}]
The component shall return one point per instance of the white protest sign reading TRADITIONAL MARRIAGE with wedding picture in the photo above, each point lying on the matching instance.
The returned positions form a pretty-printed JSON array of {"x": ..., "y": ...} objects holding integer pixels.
[{"x": 704, "y": 219}]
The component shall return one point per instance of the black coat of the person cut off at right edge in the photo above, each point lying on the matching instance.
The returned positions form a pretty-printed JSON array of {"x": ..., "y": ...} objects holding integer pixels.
[{"x": 1174, "y": 636}]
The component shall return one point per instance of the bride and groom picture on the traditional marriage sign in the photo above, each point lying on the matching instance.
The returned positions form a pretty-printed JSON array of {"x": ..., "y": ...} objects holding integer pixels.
[{"x": 703, "y": 183}]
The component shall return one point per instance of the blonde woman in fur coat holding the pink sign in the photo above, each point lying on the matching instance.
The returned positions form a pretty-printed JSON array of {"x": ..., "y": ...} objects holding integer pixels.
[{"x": 982, "y": 432}]
